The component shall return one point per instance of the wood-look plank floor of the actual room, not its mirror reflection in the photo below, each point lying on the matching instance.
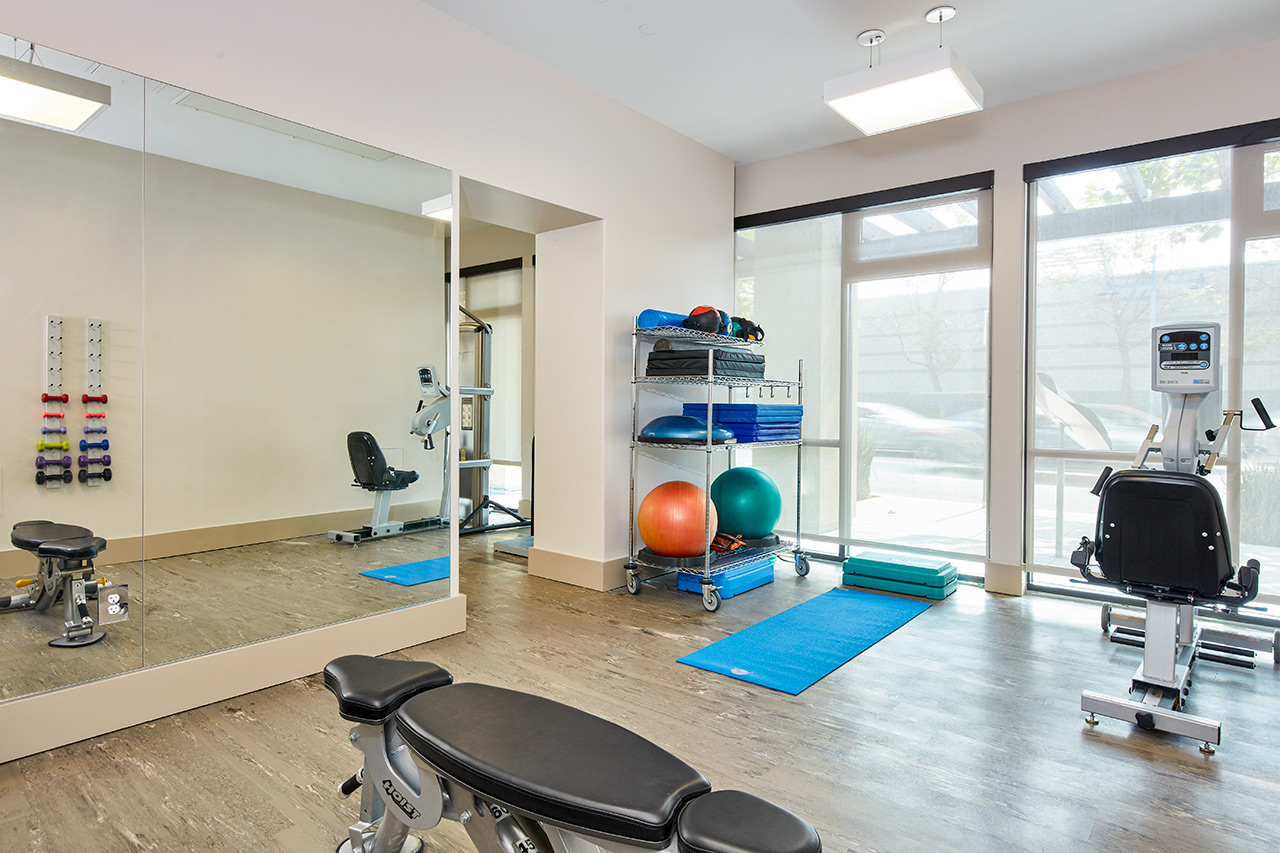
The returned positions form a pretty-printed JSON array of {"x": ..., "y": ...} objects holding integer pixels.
[{"x": 961, "y": 732}]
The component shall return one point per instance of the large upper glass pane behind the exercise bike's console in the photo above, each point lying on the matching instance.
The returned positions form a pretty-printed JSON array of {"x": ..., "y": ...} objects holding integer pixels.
[{"x": 1119, "y": 252}]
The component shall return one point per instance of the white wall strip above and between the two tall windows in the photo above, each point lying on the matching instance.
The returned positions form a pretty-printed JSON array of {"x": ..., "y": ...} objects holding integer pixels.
[{"x": 1223, "y": 92}]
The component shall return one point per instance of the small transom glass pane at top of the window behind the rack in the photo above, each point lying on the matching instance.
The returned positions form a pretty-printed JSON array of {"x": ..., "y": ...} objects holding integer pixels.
[{"x": 904, "y": 231}]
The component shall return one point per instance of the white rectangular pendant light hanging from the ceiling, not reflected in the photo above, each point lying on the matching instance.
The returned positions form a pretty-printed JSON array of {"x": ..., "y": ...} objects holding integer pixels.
[{"x": 900, "y": 94}]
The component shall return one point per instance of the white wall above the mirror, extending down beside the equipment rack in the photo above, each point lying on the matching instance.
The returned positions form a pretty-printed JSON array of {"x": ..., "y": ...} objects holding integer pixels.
[{"x": 405, "y": 77}]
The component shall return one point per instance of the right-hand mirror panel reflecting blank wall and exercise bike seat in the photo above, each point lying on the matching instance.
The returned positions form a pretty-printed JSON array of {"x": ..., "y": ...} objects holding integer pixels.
[{"x": 292, "y": 289}]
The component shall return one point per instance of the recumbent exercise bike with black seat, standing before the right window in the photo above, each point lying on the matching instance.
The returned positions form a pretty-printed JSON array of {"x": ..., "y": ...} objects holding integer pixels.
[{"x": 1163, "y": 536}]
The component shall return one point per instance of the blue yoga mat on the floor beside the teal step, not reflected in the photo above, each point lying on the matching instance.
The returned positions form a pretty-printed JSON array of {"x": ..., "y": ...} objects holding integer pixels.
[{"x": 799, "y": 647}]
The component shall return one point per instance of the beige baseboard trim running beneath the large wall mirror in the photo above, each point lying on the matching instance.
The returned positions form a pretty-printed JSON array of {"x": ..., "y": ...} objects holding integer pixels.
[{"x": 67, "y": 715}]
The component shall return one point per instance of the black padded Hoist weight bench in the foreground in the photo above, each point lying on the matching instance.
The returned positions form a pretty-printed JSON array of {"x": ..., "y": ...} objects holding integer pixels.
[{"x": 524, "y": 774}]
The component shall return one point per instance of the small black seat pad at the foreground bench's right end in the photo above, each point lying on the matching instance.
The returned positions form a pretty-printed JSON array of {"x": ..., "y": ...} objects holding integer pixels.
[{"x": 733, "y": 822}]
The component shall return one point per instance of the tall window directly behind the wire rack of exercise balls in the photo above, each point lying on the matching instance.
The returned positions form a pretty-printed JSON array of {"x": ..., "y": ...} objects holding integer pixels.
[{"x": 888, "y": 308}]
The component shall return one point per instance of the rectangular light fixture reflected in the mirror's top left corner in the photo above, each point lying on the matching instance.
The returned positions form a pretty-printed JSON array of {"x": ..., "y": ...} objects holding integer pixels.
[{"x": 45, "y": 97}]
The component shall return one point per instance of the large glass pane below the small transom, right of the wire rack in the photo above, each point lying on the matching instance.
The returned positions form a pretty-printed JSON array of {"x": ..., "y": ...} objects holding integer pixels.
[{"x": 922, "y": 410}]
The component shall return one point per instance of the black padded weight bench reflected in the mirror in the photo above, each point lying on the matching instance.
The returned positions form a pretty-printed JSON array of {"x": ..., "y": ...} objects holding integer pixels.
[{"x": 66, "y": 554}]
